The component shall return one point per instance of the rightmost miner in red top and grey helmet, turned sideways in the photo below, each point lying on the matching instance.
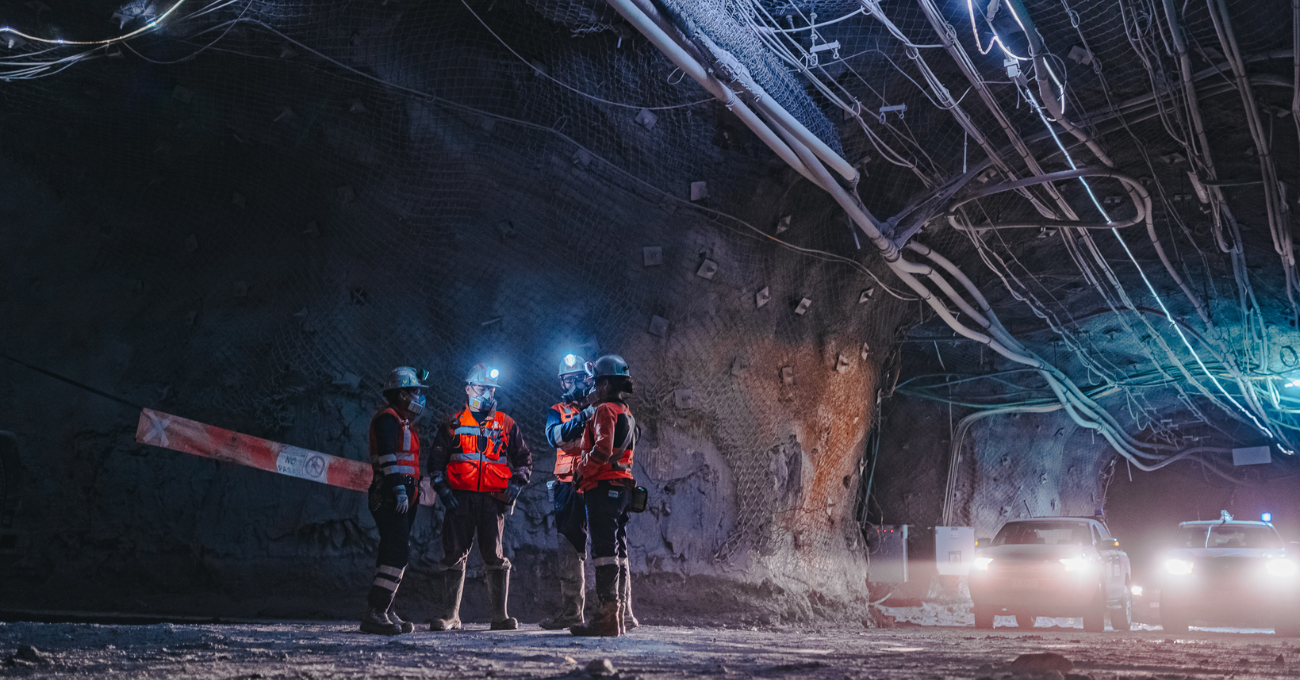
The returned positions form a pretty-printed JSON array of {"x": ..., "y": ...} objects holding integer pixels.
[{"x": 604, "y": 477}]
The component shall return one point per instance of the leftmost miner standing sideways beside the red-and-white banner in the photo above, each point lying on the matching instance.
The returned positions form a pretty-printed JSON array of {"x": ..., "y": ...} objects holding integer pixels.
[{"x": 395, "y": 495}]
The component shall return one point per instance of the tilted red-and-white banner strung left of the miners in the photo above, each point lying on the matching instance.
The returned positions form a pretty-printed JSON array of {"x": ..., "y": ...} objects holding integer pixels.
[{"x": 188, "y": 436}]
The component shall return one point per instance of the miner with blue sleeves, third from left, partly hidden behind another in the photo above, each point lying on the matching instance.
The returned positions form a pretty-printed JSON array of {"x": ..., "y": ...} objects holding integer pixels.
[{"x": 565, "y": 426}]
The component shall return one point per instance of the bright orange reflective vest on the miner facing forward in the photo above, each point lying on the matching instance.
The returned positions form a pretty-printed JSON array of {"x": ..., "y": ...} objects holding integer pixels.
[{"x": 479, "y": 461}]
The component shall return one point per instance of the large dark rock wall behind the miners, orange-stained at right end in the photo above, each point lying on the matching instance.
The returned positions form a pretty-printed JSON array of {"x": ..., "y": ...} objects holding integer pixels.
[{"x": 253, "y": 240}]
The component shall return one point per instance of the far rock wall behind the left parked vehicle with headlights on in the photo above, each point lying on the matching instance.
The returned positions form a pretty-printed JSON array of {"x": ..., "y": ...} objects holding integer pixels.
[{"x": 1009, "y": 467}]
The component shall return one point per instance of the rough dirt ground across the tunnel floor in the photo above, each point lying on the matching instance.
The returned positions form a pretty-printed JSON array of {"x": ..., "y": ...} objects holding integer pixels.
[{"x": 320, "y": 651}]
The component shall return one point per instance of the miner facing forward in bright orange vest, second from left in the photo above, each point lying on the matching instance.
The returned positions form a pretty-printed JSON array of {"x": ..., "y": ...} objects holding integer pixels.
[{"x": 479, "y": 465}]
